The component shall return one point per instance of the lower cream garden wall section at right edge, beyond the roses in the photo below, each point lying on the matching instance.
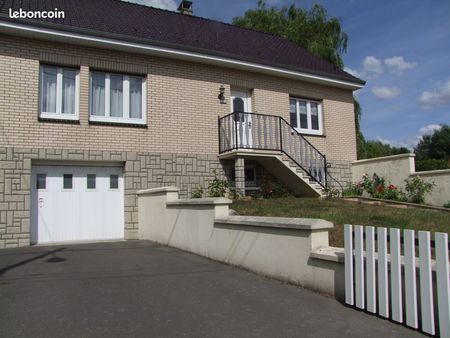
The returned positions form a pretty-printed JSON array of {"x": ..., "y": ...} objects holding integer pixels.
[{"x": 441, "y": 190}]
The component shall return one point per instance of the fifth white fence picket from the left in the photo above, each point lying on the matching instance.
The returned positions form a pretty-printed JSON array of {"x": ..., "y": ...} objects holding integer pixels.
[{"x": 396, "y": 275}]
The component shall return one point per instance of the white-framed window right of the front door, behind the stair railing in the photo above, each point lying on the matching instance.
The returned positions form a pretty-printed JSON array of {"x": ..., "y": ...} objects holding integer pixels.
[{"x": 306, "y": 116}]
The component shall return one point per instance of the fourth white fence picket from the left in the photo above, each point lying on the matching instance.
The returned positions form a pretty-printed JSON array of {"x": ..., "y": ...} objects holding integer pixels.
[{"x": 383, "y": 287}]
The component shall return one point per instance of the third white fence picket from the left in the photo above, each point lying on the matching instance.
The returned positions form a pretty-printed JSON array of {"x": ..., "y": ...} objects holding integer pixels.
[{"x": 370, "y": 270}]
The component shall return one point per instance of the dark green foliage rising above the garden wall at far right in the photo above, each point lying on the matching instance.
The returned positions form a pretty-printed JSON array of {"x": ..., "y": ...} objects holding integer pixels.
[{"x": 435, "y": 145}]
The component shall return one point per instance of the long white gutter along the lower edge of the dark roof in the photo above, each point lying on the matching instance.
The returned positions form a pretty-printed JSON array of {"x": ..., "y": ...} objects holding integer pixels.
[{"x": 136, "y": 45}]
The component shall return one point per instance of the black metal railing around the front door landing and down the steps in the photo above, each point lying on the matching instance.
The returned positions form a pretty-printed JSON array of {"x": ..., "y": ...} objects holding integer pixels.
[{"x": 268, "y": 132}]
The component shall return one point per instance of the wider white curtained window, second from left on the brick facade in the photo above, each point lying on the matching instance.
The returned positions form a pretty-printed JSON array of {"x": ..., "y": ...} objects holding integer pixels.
[{"x": 117, "y": 98}]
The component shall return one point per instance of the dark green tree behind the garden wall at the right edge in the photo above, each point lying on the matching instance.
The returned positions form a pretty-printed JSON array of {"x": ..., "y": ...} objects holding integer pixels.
[{"x": 433, "y": 150}]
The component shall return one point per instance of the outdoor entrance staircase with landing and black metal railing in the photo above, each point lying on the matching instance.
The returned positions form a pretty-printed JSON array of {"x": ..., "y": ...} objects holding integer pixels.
[{"x": 273, "y": 142}]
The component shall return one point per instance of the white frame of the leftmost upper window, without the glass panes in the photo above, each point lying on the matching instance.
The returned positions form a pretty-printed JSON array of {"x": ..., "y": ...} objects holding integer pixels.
[{"x": 58, "y": 115}]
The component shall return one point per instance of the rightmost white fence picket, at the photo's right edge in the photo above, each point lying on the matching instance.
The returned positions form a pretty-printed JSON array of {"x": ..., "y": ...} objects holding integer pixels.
[{"x": 442, "y": 283}]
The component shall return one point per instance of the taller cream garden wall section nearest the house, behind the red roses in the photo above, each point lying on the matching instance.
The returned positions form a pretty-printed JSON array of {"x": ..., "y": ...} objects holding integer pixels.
[{"x": 394, "y": 168}]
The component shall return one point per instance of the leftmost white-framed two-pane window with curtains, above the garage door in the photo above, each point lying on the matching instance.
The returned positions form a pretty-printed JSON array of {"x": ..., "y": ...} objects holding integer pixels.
[{"x": 59, "y": 93}]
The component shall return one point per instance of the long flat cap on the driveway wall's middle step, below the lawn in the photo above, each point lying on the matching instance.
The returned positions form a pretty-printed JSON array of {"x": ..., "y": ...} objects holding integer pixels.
[{"x": 276, "y": 222}]
